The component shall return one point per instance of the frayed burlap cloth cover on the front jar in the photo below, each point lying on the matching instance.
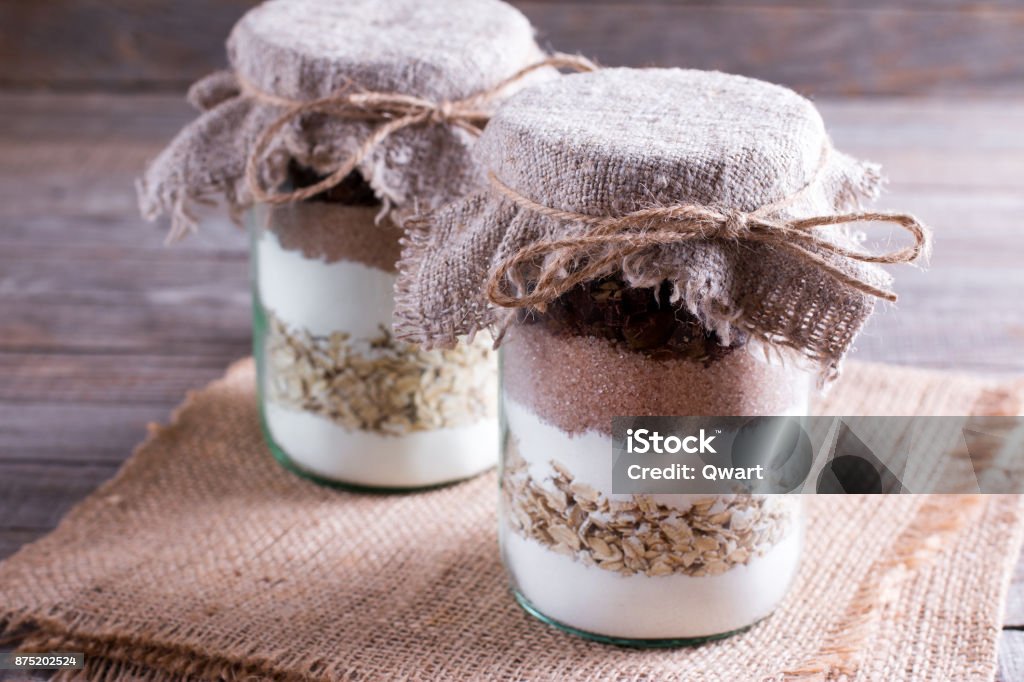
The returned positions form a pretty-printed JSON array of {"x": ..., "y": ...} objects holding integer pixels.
[{"x": 619, "y": 141}]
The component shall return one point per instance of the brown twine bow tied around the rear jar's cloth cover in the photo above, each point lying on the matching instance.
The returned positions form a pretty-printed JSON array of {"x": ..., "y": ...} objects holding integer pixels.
[{"x": 394, "y": 111}]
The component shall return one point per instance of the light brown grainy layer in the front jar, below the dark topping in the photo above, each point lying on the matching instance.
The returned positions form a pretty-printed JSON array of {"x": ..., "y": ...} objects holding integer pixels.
[{"x": 579, "y": 382}]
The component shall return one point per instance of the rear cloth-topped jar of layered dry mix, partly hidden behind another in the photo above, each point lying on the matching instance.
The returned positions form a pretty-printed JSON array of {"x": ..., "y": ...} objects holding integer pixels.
[{"x": 335, "y": 121}]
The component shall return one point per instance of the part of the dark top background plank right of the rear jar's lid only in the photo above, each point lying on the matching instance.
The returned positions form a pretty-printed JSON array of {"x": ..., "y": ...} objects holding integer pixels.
[{"x": 854, "y": 52}]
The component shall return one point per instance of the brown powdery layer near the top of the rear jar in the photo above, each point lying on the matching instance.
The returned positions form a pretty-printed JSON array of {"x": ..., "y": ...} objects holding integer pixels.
[{"x": 333, "y": 232}]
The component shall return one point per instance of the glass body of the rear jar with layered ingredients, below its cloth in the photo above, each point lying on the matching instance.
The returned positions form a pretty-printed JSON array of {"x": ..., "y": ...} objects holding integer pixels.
[{"x": 342, "y": 401}]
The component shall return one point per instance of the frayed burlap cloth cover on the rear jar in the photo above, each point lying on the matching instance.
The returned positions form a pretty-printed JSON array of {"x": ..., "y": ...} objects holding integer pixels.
[{"x": 302, "y": 51}]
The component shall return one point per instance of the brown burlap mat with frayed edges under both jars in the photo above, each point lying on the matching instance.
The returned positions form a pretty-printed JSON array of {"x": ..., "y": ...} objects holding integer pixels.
[{"x": 204, "y": 559}]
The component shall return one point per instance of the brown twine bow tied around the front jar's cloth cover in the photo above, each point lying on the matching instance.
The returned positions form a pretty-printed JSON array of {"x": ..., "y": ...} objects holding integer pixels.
[{"x": 612, "y": 239}]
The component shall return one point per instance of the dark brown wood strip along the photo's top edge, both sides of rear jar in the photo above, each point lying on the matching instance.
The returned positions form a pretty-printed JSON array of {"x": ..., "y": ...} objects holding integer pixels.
[{"x": 949, "y": 47}]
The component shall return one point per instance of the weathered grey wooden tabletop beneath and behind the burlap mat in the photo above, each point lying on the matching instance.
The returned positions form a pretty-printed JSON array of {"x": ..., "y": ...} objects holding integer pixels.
[{"x": 104, "y": 330}]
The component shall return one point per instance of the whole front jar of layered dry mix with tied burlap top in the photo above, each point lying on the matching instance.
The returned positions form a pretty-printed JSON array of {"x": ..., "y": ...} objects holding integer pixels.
[{"x": 651, "y": 243}]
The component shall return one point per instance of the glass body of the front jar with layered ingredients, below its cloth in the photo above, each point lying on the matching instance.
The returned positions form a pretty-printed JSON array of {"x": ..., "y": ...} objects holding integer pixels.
[{"x": 644, "y": 571}]
